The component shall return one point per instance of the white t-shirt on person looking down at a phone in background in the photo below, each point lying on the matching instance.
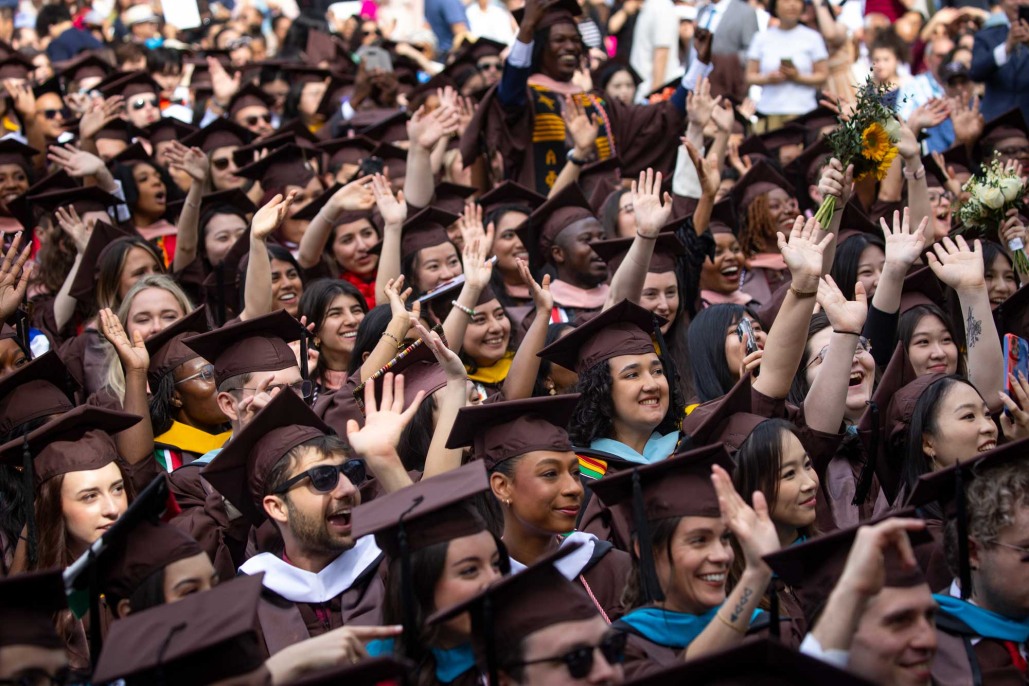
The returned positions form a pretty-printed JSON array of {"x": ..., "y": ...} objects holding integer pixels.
[{"x": 805, "y": 47}]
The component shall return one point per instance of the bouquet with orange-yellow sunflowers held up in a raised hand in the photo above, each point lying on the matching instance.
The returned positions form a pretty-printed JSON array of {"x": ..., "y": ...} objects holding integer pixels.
[{"x": 868, "y": 140}]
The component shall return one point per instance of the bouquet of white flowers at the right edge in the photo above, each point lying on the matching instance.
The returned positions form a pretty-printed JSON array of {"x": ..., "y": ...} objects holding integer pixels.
[{"x": 996, "y": 191}]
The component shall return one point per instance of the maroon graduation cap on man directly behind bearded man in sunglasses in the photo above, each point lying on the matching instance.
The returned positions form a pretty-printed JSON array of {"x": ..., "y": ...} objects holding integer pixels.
[{"x": 256, "y": 345}]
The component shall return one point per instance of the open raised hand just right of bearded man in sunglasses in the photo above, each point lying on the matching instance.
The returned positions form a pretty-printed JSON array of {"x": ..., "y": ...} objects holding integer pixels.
[{"x": 383, "y": 423}]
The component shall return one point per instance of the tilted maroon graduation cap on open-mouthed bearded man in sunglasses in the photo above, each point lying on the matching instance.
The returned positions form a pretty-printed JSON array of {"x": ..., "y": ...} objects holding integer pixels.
[{"x": 241, "y": 471}]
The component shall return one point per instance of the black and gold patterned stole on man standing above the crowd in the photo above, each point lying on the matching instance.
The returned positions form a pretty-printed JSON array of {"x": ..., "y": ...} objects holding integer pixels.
[{"x": 550, "y": 135}]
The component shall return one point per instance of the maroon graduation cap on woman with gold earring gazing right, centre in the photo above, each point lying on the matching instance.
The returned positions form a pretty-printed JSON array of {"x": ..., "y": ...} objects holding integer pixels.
[{"x": 500, "y": 431}]
